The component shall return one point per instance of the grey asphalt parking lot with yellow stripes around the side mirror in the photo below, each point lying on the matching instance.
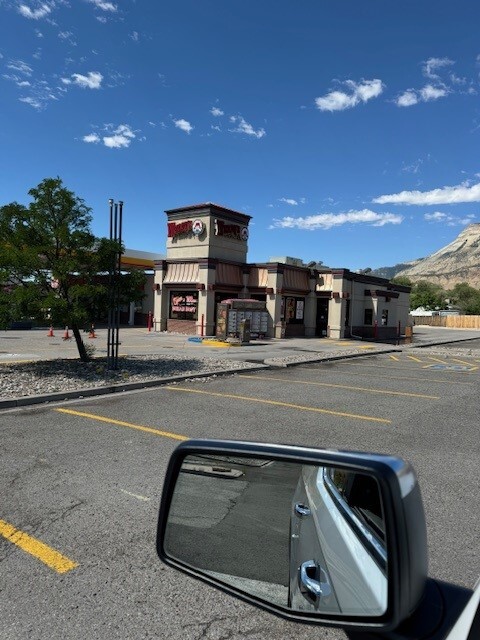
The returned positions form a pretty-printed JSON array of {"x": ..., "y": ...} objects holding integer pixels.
[{"x": 82, "y": 483}]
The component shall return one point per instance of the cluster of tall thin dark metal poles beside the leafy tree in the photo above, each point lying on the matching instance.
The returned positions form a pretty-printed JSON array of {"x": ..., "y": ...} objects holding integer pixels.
[{"x": 114, "y": 274}]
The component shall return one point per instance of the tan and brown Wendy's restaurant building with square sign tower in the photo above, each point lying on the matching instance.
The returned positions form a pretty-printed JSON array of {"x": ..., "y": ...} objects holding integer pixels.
[{"x": 206, "y": 263}]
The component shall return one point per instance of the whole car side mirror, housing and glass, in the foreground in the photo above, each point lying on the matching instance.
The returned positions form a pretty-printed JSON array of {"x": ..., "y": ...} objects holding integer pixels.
[{"x": 330, "y": 537}]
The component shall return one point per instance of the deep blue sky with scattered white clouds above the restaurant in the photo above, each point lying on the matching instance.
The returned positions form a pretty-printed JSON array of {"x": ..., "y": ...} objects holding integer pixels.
[{"x": 348, "y": 129}]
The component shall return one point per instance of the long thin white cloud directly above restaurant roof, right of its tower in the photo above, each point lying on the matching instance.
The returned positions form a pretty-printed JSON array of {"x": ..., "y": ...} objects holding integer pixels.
[{"x": 329, "y": 220}]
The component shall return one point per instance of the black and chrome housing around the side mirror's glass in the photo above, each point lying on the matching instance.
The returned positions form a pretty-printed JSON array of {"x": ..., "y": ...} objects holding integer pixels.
[{"x": 403, "y": 516}]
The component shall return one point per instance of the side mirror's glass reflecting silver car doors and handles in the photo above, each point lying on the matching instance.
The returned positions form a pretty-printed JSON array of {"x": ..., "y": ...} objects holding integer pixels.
[{"x": 303, "y": 537}]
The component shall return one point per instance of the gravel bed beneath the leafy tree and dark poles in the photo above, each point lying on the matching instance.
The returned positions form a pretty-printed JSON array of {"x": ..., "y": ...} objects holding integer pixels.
[{"x": 51, "y": 376}]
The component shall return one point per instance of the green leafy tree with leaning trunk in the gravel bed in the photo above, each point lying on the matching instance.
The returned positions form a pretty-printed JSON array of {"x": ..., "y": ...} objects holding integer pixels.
[{"x": 51, "y": 265}]
